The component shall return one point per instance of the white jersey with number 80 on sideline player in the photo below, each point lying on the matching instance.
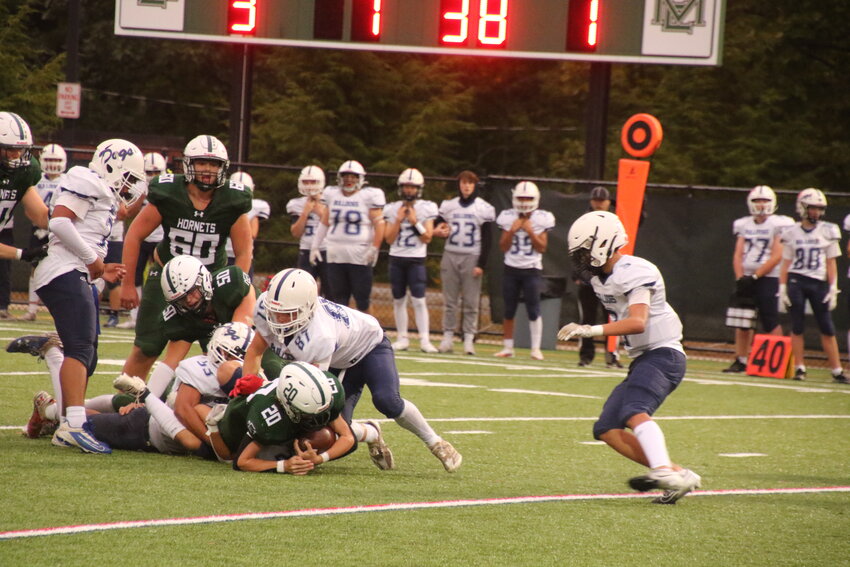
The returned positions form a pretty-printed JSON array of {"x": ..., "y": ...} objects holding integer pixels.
[{"x": 809, "y": 250}]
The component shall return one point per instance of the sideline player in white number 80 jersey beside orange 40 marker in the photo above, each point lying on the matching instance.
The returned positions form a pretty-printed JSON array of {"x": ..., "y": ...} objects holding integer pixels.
[{"x": 809, "y": 273}]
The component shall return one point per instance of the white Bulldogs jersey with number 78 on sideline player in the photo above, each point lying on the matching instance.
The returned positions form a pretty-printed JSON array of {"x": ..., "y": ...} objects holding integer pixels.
[{"x": 350, "y": 232}]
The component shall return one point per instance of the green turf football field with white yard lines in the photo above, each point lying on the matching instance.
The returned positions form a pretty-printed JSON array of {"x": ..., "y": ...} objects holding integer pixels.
[{"x": 534, "y": 488}]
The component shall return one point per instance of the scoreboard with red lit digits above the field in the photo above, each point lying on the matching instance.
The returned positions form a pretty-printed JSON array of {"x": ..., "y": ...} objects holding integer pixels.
[{"x": 627, "y": 31}]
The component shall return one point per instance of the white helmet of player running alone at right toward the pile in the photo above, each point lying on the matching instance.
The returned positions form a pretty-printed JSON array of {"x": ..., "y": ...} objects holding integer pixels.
[{"x": 593, "y": 238}]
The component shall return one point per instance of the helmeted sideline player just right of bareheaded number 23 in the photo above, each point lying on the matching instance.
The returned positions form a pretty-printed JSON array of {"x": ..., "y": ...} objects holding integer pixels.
[{"x": 524, "y": 238}]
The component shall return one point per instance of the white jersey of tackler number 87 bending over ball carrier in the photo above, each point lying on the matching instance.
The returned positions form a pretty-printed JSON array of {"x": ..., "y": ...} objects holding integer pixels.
[{"x": 335, "y": 332}]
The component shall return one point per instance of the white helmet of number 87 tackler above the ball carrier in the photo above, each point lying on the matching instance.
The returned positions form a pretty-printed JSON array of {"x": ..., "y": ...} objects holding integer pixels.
[{"x": 291, "y": 300}]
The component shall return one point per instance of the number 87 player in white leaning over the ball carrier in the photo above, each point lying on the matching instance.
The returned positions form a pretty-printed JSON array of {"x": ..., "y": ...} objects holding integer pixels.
[{"x": 297, "y": 325}]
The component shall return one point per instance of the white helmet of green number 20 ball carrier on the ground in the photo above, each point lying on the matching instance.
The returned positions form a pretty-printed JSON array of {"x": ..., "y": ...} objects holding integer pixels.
[{"x": 306, "y": 394}]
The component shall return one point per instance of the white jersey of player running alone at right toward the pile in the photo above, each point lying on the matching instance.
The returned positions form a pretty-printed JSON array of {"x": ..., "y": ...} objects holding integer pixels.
[{"x": 663, "y": 328}]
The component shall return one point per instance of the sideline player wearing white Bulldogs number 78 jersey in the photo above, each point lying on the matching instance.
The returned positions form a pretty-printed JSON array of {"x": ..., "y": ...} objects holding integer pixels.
[{"x": 352, "y": 228}]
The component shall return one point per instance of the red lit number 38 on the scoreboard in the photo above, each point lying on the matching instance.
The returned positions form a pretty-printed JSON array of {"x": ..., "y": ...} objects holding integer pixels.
[{"x": 489, "y": 26}]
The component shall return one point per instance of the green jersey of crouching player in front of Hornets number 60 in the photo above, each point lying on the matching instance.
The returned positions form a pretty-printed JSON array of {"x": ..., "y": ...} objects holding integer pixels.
[{"x": 230, "y": 286}]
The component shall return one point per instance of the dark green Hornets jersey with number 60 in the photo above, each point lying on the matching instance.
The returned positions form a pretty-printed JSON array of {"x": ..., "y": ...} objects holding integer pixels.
[{"x": 201, "y": 234}]
